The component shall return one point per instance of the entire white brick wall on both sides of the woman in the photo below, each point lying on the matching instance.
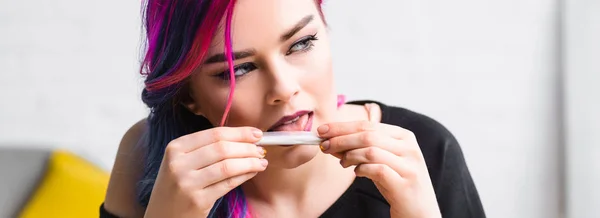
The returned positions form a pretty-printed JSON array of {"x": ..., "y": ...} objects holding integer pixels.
[{"x": 486, "y": 69}]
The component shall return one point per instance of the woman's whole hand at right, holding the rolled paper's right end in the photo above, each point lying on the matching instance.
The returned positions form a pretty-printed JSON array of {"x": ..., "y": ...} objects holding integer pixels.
[{"x": 389, "y": 156}]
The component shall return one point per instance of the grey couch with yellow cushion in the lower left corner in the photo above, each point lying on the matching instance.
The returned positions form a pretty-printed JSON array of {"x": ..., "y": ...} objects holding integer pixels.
[{"x": 49, "y": 183}]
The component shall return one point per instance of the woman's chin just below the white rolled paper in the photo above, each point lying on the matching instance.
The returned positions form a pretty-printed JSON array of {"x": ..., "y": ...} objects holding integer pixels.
[{"x": 293, "y": 157}]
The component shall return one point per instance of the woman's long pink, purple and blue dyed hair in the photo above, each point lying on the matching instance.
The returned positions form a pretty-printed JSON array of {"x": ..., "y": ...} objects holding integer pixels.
[{"x": 179, "y": 33}]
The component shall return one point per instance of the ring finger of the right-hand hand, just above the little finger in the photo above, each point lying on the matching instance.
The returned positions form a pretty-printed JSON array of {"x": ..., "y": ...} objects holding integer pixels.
[{"x": 374, "y": 155}]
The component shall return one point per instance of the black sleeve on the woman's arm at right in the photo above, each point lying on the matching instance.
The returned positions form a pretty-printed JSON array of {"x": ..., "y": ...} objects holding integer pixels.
[{"x": 455, "y": 190}]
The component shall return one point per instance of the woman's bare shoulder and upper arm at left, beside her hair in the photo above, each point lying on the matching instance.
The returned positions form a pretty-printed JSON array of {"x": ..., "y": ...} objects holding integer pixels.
[{"x": 121, "y": 194}]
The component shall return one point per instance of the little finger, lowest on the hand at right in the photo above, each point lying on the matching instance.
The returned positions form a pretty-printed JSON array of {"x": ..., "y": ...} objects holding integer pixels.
[{"x": 379, "y": 173}]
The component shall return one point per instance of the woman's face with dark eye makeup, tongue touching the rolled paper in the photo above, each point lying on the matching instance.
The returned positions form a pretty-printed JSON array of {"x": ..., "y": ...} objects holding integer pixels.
[{"x": 283, "y": 68}]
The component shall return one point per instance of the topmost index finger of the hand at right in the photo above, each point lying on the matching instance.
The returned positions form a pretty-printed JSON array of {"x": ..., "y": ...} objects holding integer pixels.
[{"x": 344, "y": 128}]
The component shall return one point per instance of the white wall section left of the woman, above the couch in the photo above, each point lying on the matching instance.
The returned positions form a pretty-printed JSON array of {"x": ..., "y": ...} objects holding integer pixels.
[{"x": 68, "y": 74}]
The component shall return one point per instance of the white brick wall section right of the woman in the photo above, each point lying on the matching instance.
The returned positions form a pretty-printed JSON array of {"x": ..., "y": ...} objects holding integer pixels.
[{"x": 485, "y": 69}]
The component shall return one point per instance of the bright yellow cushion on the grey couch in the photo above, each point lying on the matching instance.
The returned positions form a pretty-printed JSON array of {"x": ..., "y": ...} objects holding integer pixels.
[{"x": 72, "y": 187}]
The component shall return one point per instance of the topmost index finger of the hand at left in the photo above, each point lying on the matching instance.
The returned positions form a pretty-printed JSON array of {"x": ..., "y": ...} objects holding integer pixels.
[{"x": 196, "y": 140}]
